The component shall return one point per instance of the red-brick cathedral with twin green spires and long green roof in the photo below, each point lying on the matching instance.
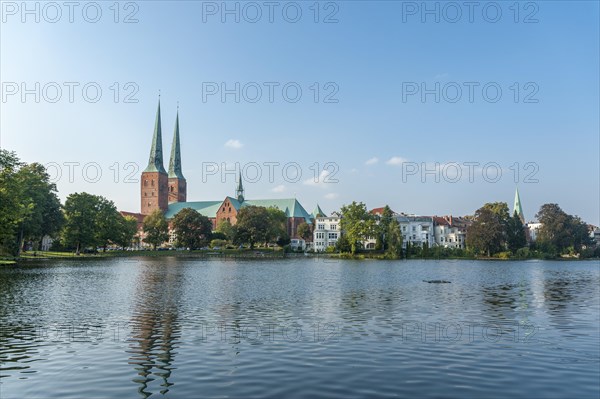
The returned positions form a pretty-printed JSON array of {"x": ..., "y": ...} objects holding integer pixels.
[{"x": 167, "y": 191}]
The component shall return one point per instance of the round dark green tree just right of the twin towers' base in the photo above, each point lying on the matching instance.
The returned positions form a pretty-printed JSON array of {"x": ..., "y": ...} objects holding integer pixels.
[{"x": 193, "y": 230}]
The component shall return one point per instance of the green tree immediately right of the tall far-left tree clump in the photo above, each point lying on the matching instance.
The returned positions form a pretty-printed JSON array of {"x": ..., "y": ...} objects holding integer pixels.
[{"x": 81, "y": 214}]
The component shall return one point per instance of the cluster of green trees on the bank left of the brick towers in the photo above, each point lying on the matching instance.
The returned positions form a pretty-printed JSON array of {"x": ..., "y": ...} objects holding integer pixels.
[{"x": 30, "y": 209}]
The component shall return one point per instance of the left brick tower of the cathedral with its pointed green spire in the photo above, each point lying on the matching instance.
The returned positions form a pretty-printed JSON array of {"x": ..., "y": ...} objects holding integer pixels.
[{"x": 154, "y": 183}]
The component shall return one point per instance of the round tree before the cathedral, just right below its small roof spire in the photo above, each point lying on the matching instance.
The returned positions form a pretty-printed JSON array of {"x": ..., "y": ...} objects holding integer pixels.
[{"x": 253, "y": 225}]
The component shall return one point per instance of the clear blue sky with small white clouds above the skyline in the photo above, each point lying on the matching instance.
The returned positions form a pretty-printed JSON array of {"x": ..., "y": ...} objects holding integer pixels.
[{"x": 434, "y": 108}]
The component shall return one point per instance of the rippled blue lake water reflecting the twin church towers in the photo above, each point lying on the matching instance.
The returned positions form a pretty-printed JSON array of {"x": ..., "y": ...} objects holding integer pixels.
[{"x": 183, "y": 328}]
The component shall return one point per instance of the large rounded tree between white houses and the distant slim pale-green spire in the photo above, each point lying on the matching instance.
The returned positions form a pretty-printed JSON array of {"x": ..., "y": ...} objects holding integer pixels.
[{"x": 487, "y": 233}]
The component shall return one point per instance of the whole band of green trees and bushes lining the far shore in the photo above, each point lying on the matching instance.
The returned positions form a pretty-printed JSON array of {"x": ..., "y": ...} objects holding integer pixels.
[{"x": 87, "y": 224}]
